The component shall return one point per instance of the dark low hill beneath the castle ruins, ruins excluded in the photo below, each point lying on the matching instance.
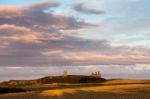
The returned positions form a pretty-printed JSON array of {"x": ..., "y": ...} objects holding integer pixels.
[{"x": 54, "y": 79}]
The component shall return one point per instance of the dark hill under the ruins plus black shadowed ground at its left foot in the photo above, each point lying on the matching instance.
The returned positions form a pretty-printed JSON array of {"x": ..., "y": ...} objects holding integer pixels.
[{"x": 46, "y": 83}]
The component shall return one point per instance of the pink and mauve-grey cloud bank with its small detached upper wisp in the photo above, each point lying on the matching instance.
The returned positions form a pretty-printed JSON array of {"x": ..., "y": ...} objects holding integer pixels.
[{"x": 35, "y": 37}]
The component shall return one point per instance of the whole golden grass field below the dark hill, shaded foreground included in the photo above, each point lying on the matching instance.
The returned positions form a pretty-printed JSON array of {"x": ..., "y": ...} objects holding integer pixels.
[{"x": 112, "y": 89}]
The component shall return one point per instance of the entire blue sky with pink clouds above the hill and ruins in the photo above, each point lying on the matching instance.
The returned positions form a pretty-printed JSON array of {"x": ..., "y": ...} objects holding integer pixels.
[{"x": 45, "y": 37}]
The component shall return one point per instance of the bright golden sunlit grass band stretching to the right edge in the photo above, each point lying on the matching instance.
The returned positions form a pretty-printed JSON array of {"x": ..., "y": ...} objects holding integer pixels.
[{"x": 119, "y": 89}]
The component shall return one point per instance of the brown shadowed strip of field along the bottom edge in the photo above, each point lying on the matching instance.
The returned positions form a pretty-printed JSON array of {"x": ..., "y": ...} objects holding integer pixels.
[{"x": 78, "y": 95}]
